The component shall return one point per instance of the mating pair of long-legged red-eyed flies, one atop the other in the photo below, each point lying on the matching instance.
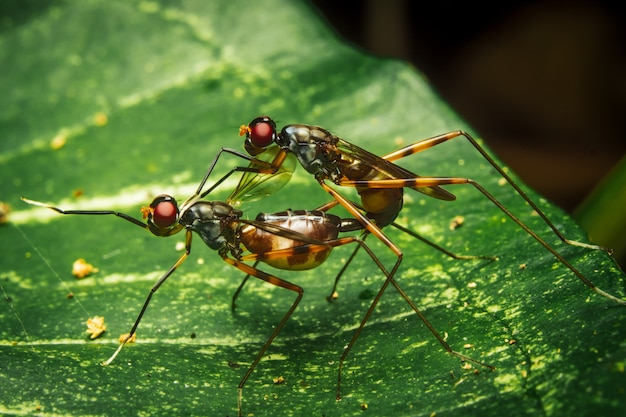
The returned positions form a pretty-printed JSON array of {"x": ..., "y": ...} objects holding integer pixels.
[{"x": 296, "y": 240}]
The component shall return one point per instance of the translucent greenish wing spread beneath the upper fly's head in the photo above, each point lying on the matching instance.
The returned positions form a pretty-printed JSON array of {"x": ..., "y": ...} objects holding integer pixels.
[{"x": 255, "y": 186}]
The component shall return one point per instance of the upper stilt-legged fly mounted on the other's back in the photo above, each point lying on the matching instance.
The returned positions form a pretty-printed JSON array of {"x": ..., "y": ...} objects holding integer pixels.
[{"x": 380, "y": 182}]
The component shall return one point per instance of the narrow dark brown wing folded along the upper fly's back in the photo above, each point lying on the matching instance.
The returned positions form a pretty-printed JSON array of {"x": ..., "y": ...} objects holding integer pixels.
[{"x": 389, "y": 169}]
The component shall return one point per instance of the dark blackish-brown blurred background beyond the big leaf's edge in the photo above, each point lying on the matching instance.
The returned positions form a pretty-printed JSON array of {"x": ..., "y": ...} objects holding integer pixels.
[{"x": 543, "y": 83}]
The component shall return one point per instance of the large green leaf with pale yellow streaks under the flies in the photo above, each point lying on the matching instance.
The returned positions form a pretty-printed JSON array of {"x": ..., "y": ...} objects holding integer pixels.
[{"x": 142, "y": 95}]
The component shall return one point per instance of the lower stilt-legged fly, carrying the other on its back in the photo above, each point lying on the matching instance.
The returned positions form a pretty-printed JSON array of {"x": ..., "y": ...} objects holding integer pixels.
[{"x": 290, "y": 240}]
